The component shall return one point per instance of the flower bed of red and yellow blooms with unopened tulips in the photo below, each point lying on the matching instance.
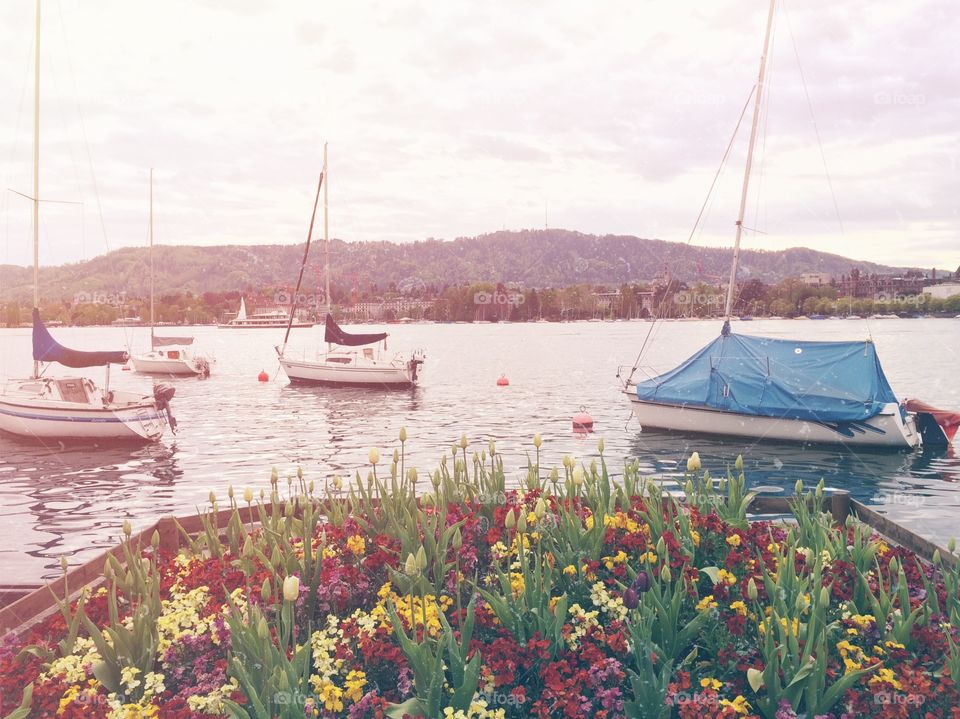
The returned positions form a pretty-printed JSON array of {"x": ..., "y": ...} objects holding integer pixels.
[{"x": 573, "y": 596}]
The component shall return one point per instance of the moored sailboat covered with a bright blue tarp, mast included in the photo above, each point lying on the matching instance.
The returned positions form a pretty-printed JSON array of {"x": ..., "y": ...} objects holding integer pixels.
[{"x": 778, "y": 389}]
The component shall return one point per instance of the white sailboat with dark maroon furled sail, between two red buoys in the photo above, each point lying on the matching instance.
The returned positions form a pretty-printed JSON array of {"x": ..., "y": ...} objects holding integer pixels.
[{"x": 358, "y": 360}]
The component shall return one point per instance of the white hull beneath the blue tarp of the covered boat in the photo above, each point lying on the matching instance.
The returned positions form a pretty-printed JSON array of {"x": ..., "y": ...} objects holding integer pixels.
[{"x": 886, "y": 429}]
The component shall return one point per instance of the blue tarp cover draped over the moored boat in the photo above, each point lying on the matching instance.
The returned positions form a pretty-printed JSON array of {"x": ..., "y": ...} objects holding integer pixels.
[{"x": 819, "y": 381}]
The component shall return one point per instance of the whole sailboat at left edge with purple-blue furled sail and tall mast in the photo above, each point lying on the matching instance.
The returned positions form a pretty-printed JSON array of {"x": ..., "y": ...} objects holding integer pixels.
[{"x": 73, "y": 407}]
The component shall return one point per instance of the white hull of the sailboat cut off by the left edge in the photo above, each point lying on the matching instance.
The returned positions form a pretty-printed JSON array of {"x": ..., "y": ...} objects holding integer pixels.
[{"x": 27, "y": 413}]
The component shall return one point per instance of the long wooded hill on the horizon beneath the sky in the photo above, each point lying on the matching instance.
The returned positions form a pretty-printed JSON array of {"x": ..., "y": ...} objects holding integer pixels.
[{"x": 530, "y": 258}]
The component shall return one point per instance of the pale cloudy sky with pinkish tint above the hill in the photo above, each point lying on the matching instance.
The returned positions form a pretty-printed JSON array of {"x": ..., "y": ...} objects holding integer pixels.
[{"x": 455, "y": 118}]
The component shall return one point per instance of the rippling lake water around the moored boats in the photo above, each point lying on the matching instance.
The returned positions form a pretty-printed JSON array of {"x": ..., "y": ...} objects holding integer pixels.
[{"x": 71, "y": 501}]
